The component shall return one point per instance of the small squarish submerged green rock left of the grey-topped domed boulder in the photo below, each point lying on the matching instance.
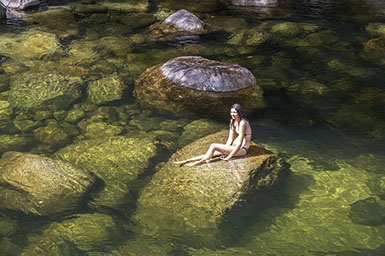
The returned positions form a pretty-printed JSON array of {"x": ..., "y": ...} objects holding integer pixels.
[{"x": 106, "y": 89}]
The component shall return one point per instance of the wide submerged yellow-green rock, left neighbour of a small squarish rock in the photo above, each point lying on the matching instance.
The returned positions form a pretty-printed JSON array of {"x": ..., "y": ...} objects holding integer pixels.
[{"x": 33, "y": 92}]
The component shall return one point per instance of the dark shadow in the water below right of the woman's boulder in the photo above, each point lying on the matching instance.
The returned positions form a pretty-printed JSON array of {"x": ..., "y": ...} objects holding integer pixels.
[{"x": 255, "y": 213}]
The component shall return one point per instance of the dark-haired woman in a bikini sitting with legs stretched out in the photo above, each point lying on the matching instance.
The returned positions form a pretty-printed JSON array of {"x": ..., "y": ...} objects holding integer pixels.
[{"x": 233, "y": 147}]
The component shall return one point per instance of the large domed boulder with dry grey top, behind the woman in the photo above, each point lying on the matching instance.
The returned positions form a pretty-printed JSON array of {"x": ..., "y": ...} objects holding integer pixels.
[{"x": 194, "y": 84}]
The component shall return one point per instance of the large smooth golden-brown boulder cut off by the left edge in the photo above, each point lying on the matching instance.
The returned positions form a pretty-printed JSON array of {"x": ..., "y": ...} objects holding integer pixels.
[{"x": 40, "y": 185}]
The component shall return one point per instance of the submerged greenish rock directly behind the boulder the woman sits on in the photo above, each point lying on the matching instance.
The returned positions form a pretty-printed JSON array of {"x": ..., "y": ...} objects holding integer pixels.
[{"x": 198, "y": 129}]
